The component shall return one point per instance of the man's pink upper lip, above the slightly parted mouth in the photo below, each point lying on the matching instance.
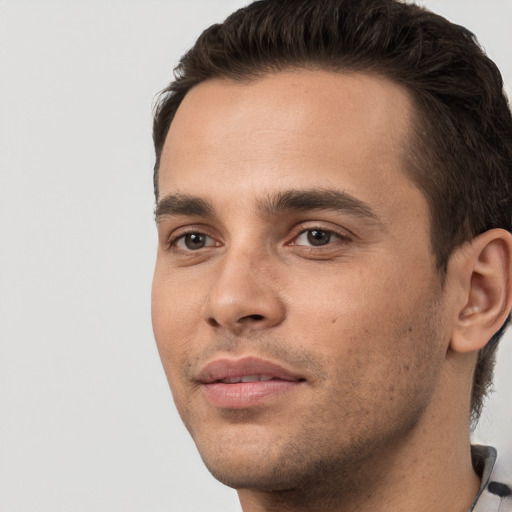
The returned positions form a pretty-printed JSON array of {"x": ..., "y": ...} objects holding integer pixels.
[{"x": 224, "y": 368}]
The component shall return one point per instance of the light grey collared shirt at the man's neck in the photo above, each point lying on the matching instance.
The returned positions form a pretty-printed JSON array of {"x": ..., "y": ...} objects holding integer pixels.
[{"x": 495, "y": 493}]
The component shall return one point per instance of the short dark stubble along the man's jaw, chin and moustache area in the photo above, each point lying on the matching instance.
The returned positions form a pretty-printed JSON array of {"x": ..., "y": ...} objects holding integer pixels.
[{"x": 314, "y": 463}]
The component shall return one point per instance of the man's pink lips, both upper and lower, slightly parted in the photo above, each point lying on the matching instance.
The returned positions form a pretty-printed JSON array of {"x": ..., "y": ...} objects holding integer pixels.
[{"x": 239, "y": 395}]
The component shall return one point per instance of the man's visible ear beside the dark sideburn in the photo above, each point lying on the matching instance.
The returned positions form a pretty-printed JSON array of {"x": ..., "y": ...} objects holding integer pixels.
[{"x": 481, "y": 272}]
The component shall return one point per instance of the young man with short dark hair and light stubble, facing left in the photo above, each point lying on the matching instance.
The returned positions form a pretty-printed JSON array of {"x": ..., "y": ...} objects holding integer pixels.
[{"x": 333, "y": 184}]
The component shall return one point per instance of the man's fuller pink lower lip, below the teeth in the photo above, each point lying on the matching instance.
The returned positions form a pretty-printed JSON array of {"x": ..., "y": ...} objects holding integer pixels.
[{"x": 246, "y": 394}]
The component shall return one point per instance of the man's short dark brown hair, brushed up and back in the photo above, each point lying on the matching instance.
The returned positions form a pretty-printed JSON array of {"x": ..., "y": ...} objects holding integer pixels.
[{"x": 461, "y": 150}]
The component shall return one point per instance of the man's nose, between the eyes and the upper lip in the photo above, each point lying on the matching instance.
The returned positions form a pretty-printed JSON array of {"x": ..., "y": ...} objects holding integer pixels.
[{"x": 244, "y": 294}]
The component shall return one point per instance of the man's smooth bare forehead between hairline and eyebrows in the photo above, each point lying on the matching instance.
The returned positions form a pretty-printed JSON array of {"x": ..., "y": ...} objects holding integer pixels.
[{"x": 295, "y": 129}]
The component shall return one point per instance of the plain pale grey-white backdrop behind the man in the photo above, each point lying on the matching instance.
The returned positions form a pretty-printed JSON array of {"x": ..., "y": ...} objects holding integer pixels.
[{"x": 87, "y": 422}]
